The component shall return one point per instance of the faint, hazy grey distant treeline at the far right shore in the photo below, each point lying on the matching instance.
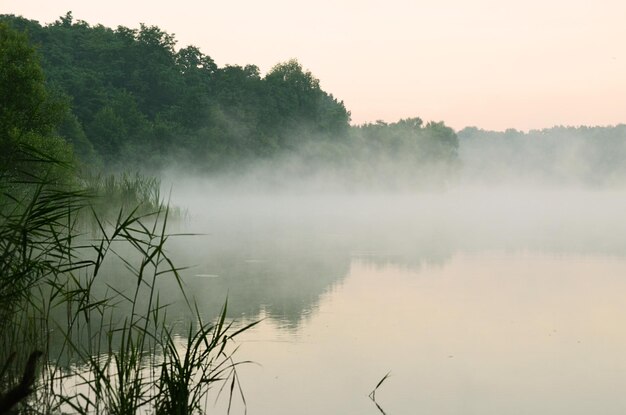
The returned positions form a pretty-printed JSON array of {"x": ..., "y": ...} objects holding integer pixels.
[{"x": 589, "y": 156}]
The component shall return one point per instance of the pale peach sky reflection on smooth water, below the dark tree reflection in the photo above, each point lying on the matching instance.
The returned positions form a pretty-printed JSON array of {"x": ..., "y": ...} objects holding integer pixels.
[{"x": 495, "y": 333}]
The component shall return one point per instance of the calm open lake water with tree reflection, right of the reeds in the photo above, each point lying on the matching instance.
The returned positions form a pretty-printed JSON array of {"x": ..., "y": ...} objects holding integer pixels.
[{"x": 476, "y": 302}]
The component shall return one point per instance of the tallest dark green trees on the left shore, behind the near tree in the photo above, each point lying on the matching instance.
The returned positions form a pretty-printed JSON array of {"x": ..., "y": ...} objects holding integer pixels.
[{"x": 140, "y": 100}]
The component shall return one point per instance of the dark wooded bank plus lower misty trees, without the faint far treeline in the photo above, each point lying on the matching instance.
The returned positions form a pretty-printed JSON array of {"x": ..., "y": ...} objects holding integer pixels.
[{"x": 135, "y": 99}]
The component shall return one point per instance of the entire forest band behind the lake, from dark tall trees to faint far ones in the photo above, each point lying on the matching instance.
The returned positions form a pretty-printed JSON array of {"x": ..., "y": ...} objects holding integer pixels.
[{"x": 131, "y": 99}]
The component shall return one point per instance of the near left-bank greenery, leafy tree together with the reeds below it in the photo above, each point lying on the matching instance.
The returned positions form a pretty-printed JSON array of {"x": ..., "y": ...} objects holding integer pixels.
[{"x": 50, "y": 269}]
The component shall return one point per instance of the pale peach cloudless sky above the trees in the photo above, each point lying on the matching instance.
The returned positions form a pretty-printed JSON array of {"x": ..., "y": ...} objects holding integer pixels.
[{"x": 493, "y": 64}]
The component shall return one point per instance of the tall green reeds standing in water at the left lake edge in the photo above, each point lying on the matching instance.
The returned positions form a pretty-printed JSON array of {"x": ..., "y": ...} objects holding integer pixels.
[{"x": 105, "y": 348}]
